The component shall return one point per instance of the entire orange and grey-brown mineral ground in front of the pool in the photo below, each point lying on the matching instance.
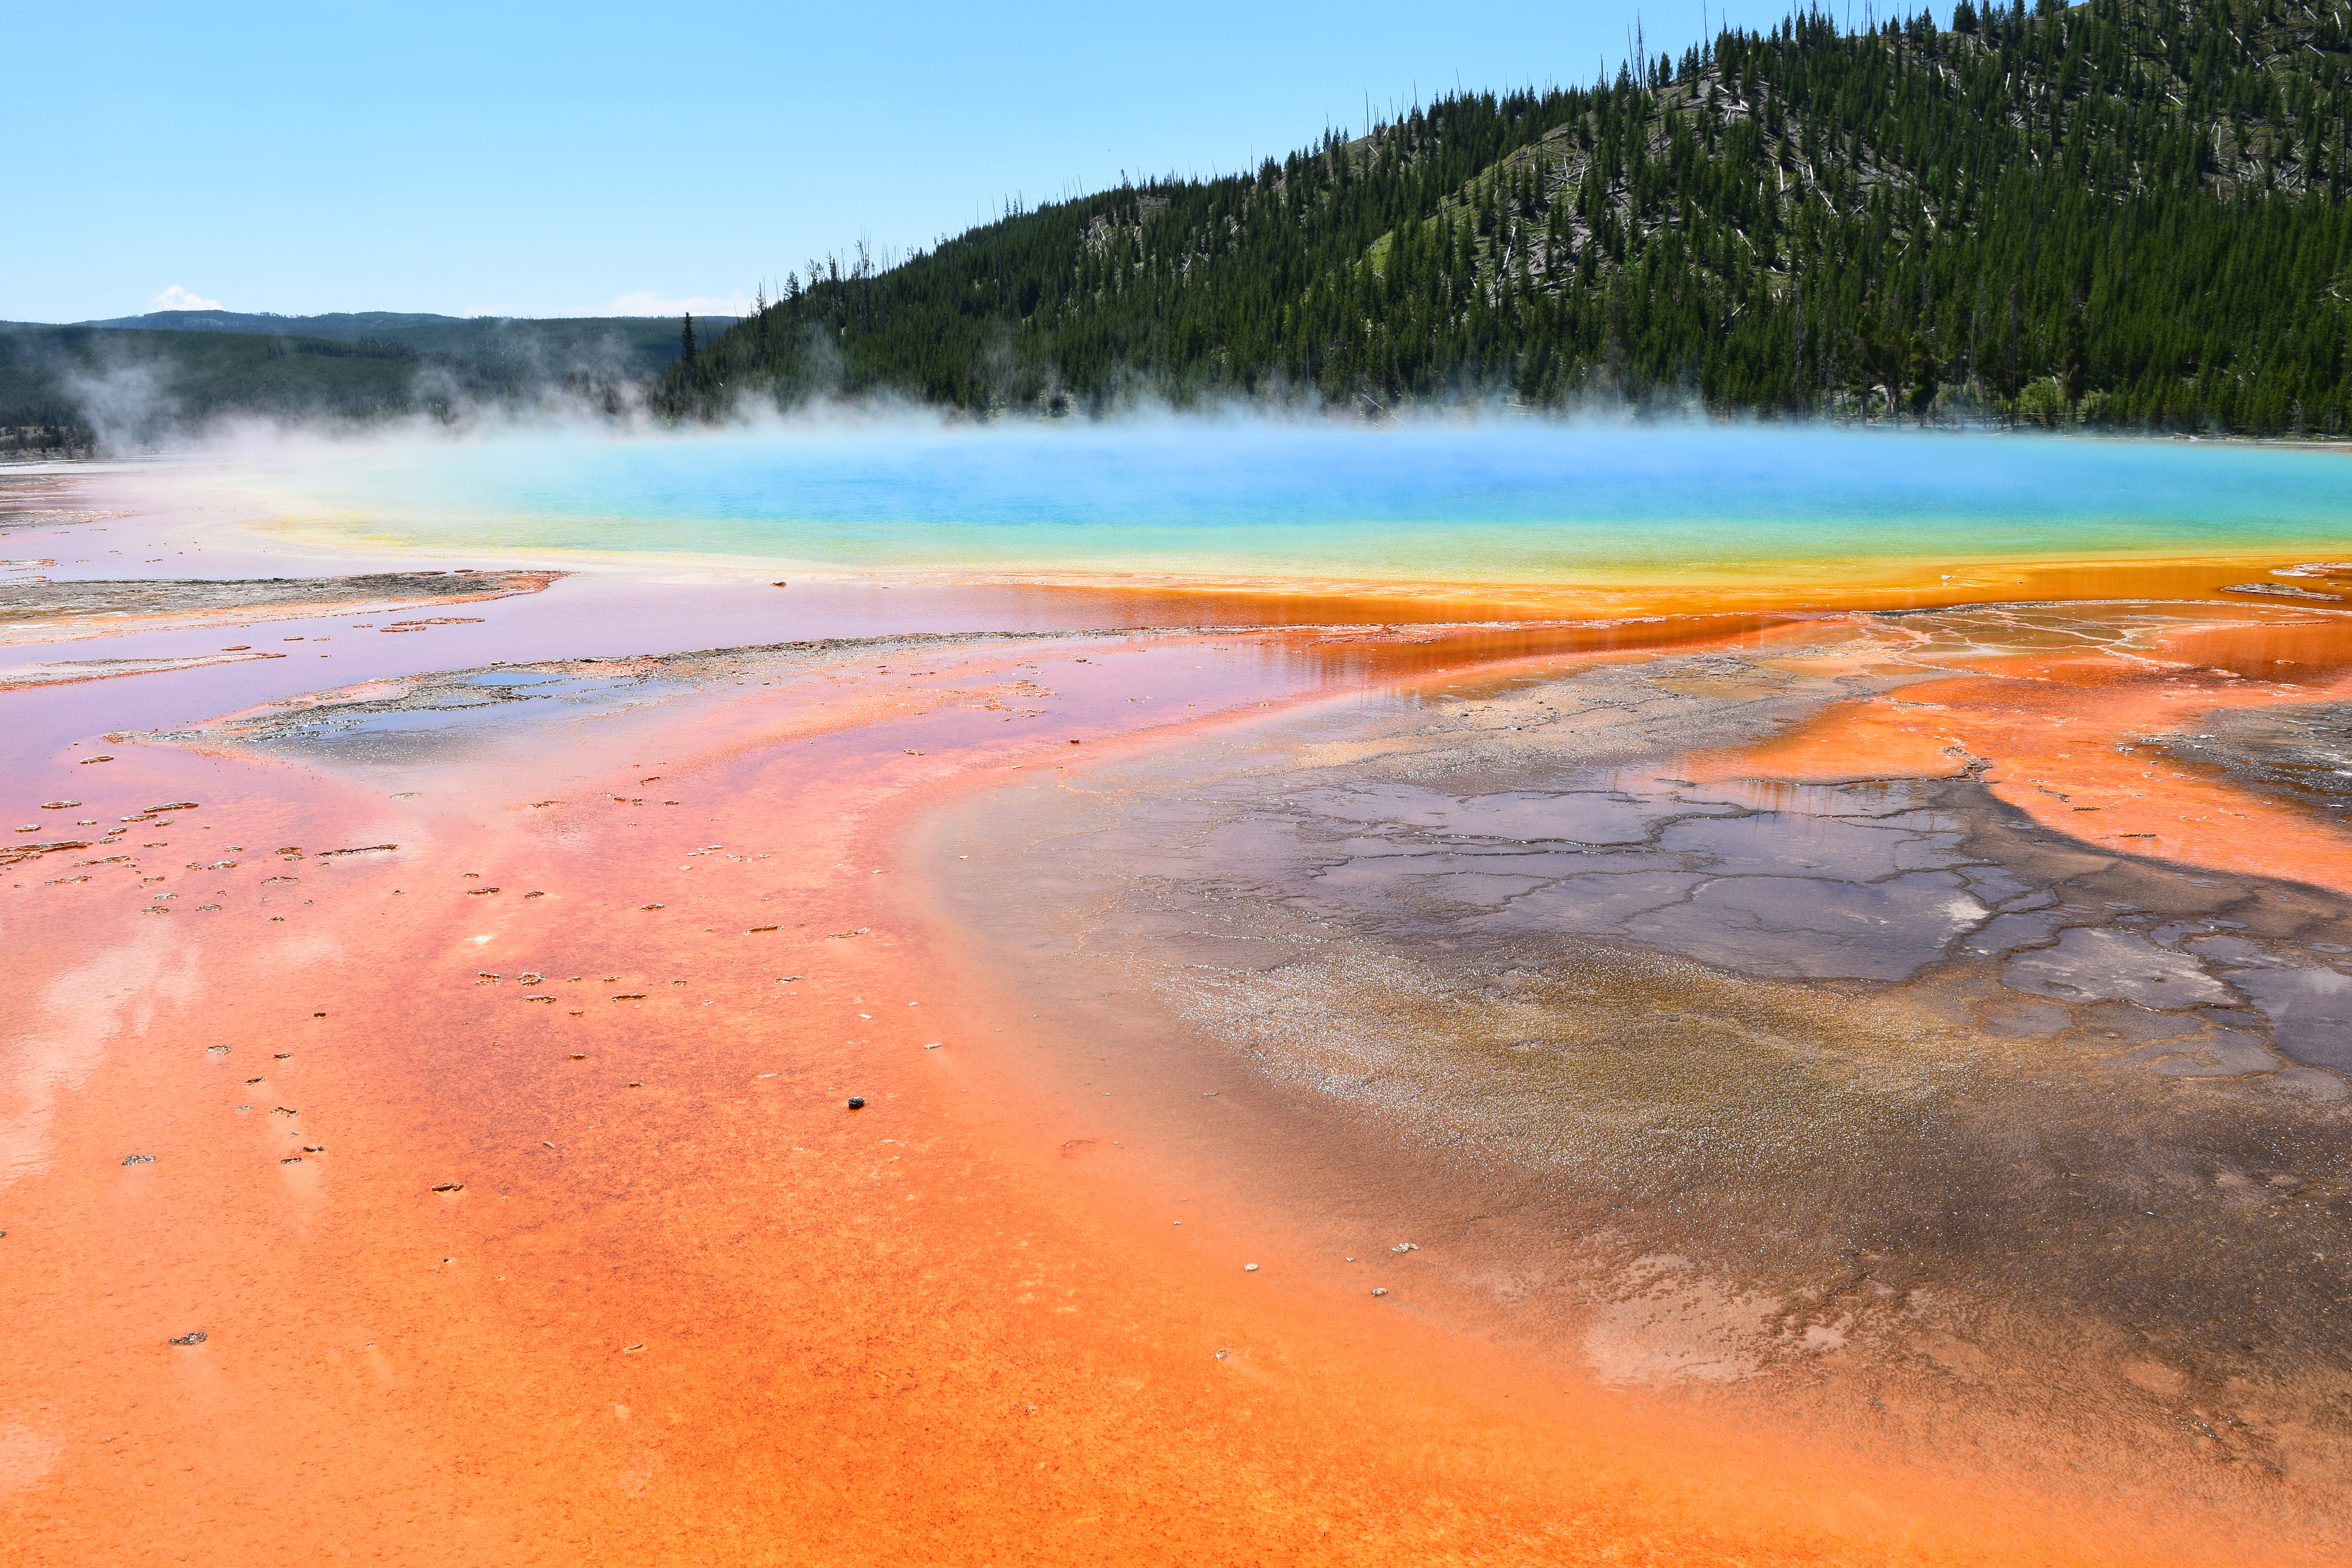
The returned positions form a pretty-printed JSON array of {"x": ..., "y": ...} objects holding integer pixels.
[{"x": 521, "y": 1257}]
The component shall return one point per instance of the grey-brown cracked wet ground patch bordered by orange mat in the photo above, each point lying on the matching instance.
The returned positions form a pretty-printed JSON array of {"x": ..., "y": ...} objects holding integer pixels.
[{"x": 1873, "y": 1099}]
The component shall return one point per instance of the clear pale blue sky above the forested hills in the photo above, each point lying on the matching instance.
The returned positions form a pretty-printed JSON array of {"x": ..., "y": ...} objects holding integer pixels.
[{"x": 627, "y": 159}]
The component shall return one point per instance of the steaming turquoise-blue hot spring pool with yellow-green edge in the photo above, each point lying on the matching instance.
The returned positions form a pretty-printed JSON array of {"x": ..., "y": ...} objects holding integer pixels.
[{"x": 1502, "y": 502}]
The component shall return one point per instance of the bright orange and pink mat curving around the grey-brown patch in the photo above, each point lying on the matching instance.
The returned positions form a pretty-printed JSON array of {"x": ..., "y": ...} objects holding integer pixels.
[{"x": 507, "y": 1174}]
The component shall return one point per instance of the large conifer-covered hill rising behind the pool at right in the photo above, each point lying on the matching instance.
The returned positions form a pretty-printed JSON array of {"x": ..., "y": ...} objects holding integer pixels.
[{"x": 2123, "y": 213}]
